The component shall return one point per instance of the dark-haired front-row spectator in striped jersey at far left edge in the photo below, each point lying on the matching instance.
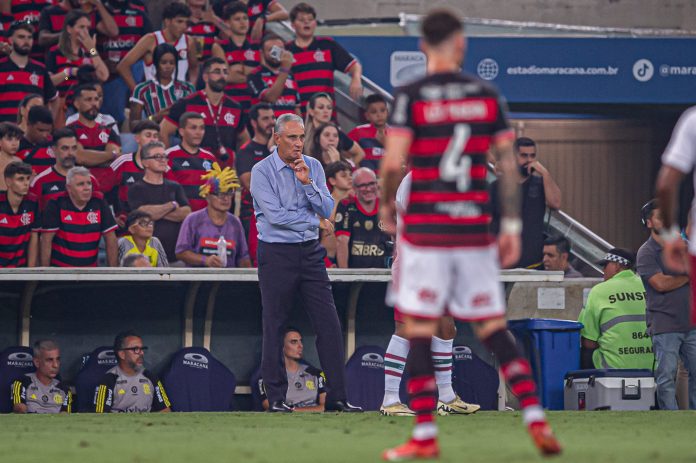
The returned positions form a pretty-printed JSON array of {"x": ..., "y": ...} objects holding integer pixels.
[{"x": 19, "y": 219}]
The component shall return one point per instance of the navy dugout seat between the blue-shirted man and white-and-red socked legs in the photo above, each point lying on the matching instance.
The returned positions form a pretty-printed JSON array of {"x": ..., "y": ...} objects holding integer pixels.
[{"x": 365, "y": 377}]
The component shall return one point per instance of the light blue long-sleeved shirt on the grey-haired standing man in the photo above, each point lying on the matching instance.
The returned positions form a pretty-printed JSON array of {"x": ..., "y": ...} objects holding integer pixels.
[{"x": 286, "y": 210}]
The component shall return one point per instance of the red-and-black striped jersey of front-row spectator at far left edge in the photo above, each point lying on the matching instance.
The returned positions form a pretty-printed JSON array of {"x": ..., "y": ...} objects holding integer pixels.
[{"x": 16, "y": 229}]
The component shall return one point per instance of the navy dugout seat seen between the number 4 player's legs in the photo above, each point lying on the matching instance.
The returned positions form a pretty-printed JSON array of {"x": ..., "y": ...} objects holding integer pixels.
[{"x": 474, "y": 380}]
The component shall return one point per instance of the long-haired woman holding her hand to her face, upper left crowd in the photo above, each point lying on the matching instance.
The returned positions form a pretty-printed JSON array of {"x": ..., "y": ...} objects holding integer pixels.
[{"x": 75, "y": 48}]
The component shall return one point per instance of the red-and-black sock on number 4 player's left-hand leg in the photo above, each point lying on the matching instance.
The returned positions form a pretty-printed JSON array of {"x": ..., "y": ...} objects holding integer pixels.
[{"x": 422, "y": 391}]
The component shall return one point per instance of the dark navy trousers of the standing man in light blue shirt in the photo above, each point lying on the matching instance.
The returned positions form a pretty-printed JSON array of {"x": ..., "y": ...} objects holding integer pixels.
[{"x": 285, "y": 269}]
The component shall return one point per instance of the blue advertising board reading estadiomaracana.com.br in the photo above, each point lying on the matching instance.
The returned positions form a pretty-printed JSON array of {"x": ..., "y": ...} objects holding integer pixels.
[{"x": 552, "y": 70}]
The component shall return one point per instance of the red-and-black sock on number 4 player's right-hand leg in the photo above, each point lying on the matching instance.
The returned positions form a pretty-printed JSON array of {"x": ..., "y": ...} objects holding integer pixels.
[{"x": 517, "y": 373}]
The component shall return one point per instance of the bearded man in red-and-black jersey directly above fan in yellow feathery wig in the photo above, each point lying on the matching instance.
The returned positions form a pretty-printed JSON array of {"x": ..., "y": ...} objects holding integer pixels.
[{"x": 225, "y": 124}]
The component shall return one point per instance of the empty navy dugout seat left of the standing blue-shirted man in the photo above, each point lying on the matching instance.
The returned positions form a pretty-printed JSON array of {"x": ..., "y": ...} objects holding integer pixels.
[{"x": 197, "y": 382}]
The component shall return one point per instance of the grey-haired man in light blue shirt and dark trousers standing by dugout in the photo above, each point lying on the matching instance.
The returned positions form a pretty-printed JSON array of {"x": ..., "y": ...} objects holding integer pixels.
[{"x": 291, "y": 203}]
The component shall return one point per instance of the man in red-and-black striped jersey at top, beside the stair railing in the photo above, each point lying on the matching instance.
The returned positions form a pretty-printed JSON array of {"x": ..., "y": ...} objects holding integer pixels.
[{"x": 316, "y": 58}]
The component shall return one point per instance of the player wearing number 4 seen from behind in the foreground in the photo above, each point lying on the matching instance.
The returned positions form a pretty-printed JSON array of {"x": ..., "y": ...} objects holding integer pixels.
[{"x": 445, "y": 123}]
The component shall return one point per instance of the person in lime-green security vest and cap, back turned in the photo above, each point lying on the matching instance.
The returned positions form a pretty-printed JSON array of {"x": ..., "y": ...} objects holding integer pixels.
[{"x": 615, "y": 332}]
